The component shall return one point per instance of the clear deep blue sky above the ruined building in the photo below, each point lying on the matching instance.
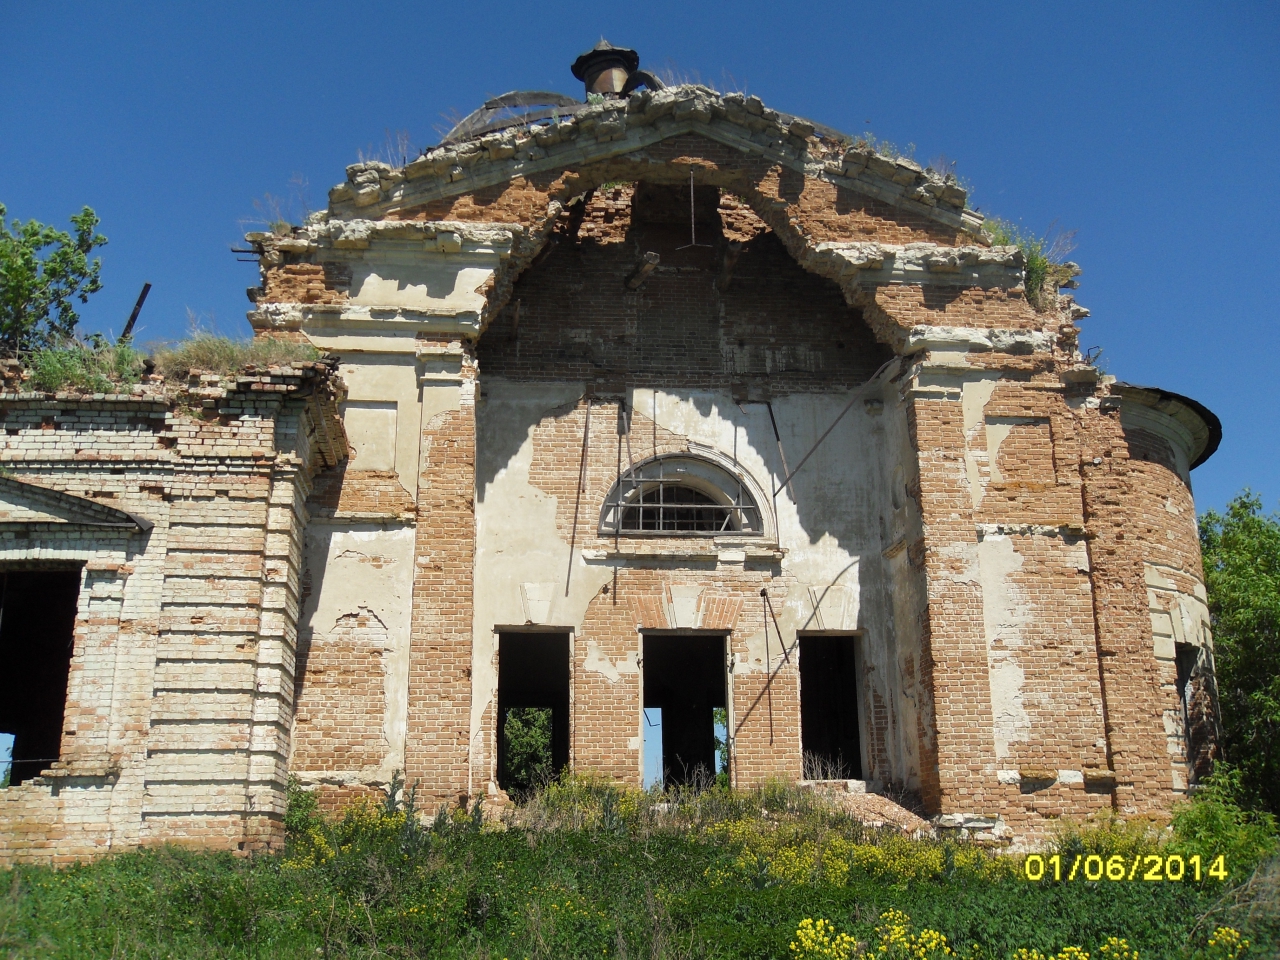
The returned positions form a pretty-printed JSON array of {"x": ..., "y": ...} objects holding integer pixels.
[{"x": 1151, "y": 130}]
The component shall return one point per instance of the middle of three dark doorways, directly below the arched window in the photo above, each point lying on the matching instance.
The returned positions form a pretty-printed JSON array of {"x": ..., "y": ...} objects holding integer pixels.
[{"x": 684, "y": 676}]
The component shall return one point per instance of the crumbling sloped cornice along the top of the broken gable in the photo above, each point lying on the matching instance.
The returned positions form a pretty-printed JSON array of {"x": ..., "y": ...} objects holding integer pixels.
[{"x": 742, "y": 121}]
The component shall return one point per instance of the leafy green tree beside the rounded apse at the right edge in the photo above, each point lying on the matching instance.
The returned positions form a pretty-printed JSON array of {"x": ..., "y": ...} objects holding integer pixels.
[{"x": 1242, "y": 573}]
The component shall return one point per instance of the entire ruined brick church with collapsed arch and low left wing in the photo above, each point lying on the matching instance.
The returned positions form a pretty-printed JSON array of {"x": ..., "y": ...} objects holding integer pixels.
[{"x": 661, "y": 400}]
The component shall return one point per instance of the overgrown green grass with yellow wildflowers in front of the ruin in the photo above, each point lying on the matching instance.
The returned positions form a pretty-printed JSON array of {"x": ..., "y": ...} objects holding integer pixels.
[{"x": 583, "y": 871}]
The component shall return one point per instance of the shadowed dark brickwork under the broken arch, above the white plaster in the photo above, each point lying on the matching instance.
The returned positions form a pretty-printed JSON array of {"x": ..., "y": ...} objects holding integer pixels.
[{"x": 775, "y": 322}]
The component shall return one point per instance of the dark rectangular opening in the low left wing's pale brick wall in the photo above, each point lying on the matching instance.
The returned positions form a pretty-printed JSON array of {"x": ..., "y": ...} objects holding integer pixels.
[{"x": 38, "y": 630}]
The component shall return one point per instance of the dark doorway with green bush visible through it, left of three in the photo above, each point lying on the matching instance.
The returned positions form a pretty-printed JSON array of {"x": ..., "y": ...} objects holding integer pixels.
[{"x": 533, "y": 710}]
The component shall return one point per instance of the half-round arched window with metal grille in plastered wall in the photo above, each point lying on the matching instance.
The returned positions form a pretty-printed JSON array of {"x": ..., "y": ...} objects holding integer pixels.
[{"x": 682, "y": 496}]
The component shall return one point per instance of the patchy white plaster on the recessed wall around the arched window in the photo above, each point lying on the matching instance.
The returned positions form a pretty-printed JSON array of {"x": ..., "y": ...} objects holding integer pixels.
[{"x": 831, "y": 525}]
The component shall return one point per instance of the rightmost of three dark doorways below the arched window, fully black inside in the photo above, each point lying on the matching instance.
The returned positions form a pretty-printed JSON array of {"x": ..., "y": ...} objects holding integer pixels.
[{"x": 829, "y": 708}]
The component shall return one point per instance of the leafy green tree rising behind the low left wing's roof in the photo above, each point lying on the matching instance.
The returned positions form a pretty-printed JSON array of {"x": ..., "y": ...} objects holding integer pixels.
[{"x": 43, "y": 271}]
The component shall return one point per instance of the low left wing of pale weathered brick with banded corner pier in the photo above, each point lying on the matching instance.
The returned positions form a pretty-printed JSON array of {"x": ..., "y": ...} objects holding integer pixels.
[{"x": 180, "y": 696}]
